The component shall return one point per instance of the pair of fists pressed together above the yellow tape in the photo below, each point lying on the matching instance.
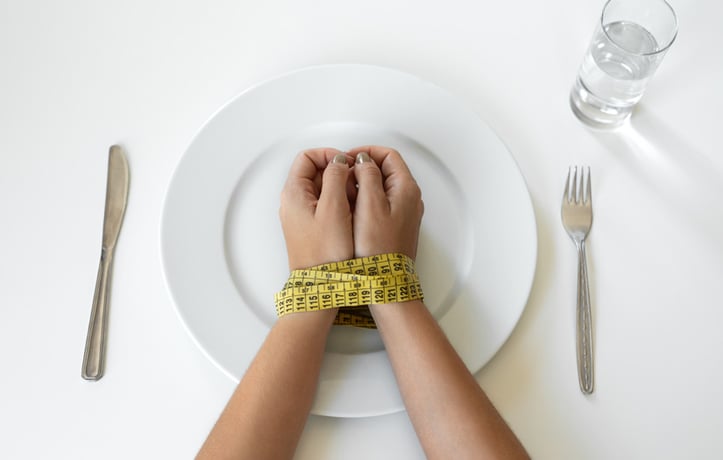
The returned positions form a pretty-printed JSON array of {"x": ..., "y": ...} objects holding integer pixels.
[{"x": 337, "y": 206}]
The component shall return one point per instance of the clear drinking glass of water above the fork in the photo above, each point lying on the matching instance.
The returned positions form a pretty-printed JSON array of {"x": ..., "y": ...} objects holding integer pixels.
[{"x": 628, "y": 45}]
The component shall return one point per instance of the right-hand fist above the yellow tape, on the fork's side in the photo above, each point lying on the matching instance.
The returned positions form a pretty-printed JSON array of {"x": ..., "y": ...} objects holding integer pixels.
[{"x": 388, "y": 207}]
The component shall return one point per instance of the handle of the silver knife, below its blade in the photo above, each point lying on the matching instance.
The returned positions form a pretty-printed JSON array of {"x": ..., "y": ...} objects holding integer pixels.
[{"x": 94, "y": 356}]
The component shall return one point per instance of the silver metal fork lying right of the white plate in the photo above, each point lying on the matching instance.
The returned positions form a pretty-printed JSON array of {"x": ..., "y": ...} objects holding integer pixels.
[{"x": 577, "y": 220}]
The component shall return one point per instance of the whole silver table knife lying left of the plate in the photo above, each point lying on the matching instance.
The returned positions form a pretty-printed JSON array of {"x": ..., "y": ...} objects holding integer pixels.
[{"x": 116, "y": 197}]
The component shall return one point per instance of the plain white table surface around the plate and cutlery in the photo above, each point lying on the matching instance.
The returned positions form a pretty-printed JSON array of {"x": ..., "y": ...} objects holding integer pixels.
[{"x": 78, "y": 76}]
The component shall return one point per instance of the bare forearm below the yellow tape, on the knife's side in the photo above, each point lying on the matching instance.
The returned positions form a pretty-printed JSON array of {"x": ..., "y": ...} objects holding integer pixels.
[{"x": 266, "y": 414}]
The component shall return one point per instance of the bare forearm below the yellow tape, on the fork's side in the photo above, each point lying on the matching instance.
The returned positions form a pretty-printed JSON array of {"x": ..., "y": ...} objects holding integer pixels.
[{"x": 450, "y": 412}]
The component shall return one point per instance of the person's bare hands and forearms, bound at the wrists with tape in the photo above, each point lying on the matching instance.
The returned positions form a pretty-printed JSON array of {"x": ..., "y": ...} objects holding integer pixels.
[{"x": 336, "y": 206}]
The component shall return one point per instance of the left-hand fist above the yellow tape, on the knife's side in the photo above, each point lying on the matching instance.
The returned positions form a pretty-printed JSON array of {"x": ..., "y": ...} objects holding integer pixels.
[{"x": 315, "y": 213}]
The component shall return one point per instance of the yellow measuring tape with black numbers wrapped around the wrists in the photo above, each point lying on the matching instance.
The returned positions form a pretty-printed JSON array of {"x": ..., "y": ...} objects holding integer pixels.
[{"x": 350, "y": 285}]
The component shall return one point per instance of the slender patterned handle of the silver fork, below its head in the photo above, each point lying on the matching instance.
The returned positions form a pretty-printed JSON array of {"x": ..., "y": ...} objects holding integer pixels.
[{"x": 584, "y": 324}]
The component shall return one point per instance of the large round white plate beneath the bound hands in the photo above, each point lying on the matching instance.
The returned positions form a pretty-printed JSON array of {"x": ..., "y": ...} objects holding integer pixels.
[{"x": 223, "y": 251}]
